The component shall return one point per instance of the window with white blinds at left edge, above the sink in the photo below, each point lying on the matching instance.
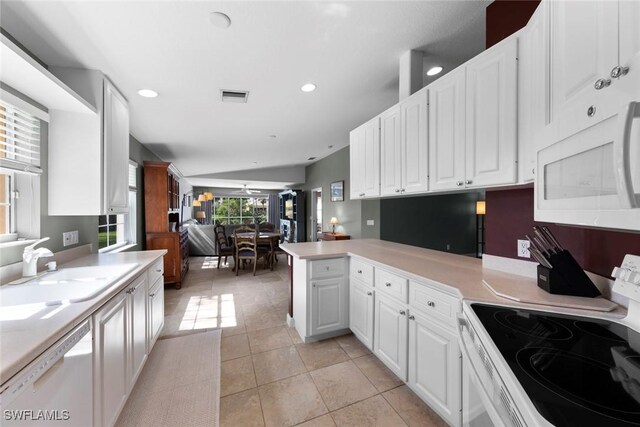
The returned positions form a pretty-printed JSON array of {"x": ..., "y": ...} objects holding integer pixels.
[{"x": 19, "y": 170}]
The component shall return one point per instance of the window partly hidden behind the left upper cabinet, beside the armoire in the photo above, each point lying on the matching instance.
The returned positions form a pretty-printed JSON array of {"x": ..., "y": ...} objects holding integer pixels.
[{"x": 115, "y": 231}]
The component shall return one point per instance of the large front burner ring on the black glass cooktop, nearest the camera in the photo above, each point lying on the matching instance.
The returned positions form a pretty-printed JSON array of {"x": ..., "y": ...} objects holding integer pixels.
[{"x": 580, "y": 380}]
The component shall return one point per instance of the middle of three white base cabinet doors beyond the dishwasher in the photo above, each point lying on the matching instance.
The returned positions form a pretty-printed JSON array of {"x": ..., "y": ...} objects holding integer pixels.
[{"x": 138, "y": 326}]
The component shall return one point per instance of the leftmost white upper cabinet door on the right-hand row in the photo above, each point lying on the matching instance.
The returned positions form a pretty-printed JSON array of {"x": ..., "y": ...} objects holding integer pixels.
[{"x": 364, "y": 160}]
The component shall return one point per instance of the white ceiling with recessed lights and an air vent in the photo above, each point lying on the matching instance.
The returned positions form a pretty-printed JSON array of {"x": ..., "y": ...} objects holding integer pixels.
[{"x": 349, "y": 49}]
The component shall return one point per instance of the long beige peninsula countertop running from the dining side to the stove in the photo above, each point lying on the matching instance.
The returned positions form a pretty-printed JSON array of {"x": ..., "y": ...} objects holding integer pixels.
[{"x": 456, "y": 274}]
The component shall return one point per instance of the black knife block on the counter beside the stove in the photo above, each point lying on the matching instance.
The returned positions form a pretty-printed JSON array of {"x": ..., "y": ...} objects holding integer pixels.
[{"x": 566, "y": 277}]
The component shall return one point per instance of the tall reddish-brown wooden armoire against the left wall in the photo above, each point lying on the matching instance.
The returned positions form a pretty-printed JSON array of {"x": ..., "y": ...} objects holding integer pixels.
[{"x": 162, "y": 217}]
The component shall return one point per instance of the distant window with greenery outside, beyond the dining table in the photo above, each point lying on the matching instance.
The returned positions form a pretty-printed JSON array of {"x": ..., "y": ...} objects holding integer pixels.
[{"x": 240, "y": 210}]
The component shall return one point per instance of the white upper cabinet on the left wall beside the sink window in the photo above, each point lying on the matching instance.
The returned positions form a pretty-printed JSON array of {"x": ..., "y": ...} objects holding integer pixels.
[{"x": 89, "y": 154}]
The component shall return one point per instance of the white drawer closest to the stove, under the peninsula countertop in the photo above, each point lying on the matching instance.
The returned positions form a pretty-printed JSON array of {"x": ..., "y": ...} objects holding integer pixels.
[{"x": 433, "y": 302}]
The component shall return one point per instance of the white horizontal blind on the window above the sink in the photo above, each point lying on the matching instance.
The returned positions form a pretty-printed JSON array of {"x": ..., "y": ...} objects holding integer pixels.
[{"x": 19, "y": 140}]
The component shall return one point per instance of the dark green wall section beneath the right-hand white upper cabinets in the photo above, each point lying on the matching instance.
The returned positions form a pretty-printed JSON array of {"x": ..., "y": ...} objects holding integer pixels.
[{"x": 431, "y": 222}]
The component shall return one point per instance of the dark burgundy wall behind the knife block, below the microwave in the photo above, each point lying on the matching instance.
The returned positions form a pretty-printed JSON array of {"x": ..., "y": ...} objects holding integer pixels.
[{"x": 510, "y": 216}]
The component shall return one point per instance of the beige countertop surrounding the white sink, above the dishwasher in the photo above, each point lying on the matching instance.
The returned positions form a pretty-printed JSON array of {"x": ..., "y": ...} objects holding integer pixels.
[{"x": 24, "y": 336}]
